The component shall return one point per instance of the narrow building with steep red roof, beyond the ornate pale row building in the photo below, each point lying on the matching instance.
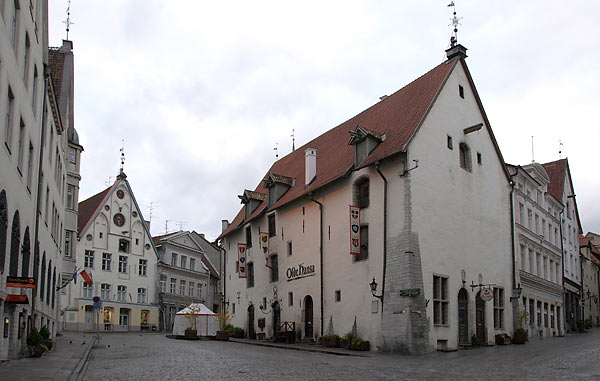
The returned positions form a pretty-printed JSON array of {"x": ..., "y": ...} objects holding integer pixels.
[{"x": 561, "y": 187}]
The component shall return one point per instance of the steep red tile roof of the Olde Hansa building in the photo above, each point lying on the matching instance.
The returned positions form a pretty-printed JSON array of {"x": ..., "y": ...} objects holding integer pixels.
[{"x": 398, "y": 117}]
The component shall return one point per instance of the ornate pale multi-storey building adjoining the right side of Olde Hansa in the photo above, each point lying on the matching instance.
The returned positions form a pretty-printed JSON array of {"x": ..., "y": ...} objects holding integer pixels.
[{"x": 538, "y": 252}]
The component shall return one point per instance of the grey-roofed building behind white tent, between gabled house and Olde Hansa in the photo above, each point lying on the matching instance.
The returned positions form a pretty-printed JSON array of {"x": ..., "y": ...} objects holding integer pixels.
[{"x": 185, "y": 274}]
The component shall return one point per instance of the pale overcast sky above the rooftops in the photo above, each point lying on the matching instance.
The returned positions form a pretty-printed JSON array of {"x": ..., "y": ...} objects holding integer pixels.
[{"x": 203, "y": 91}]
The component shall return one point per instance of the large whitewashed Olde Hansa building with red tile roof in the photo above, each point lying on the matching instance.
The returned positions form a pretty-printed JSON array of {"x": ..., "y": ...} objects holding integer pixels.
[{"x": 425, "y": 169}]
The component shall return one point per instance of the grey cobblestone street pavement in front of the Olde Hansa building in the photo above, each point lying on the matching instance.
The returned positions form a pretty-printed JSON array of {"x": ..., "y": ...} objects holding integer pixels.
[{"x": 153, "y": 356}]
